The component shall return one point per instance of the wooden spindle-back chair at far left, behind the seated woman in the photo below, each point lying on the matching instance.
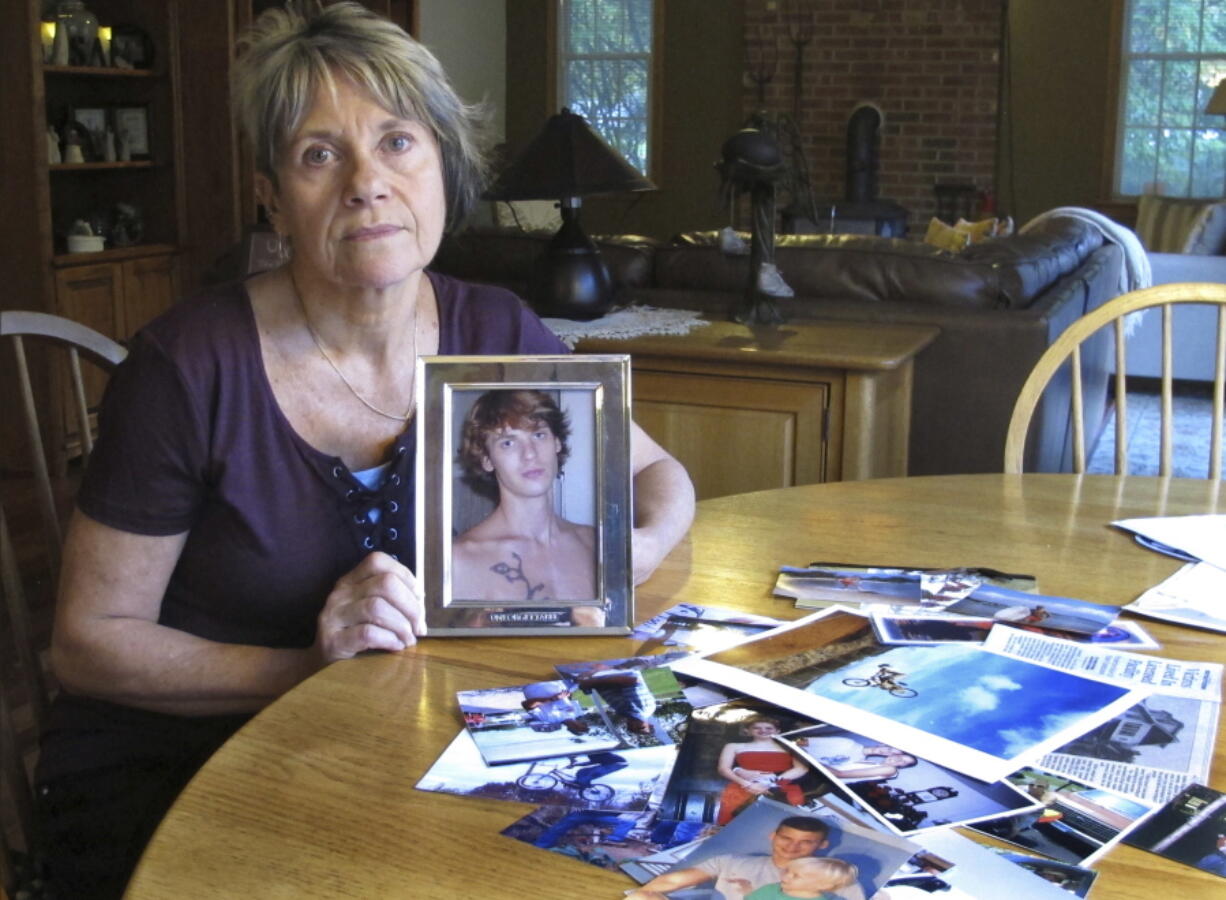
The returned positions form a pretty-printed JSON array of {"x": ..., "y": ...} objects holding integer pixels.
[{"x": 25, "y": 696}]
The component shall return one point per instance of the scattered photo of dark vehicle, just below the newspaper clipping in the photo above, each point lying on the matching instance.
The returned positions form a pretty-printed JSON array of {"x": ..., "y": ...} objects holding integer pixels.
[{"x": 1076, "y": 822}]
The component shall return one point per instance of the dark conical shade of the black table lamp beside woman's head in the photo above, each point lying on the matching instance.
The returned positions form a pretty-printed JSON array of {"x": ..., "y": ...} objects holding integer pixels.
[{"x": 567, "y": 160}]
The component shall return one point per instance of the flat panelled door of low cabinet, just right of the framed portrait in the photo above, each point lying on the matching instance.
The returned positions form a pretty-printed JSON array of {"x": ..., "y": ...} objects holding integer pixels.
[{"x": 736, "y": 435}]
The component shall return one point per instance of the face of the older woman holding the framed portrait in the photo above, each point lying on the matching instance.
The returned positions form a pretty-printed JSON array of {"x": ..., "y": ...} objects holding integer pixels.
[{"x": 361, "y": 193}]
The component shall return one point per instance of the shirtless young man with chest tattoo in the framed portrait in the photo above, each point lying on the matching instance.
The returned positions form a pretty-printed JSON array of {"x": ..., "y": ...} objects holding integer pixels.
[{"x": 524, "y": 552}]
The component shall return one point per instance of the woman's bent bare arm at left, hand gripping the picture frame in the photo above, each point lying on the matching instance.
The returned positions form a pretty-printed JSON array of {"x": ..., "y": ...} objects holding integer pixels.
[{"x": 107, "y": 642}]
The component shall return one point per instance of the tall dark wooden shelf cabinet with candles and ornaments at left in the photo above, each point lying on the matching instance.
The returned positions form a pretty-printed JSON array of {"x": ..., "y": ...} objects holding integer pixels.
[{"x": 137, "y": 198}]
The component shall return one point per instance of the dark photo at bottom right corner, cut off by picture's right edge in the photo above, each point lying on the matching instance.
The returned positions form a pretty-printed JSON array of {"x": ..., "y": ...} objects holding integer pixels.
[{"x": 1190, "y": 829}]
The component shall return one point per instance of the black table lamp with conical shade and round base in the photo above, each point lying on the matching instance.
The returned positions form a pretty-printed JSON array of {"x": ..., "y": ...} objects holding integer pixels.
[{"x": 567, "y": 162}]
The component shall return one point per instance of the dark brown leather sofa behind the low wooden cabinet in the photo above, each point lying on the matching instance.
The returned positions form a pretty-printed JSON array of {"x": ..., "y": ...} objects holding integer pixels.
[{"x": 999, "y": 305}]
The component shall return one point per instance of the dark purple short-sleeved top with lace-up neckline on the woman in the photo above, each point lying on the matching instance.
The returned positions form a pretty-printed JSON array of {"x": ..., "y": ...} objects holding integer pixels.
[{"x": 192, "y": 440}]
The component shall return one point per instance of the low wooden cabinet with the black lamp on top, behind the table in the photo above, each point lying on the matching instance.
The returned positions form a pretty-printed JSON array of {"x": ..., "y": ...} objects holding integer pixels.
[{"x": 767, "y": 408}]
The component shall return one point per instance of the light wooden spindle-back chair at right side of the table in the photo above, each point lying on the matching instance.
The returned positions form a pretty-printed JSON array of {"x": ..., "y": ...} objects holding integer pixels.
[{"x": 1068, "y": 346}]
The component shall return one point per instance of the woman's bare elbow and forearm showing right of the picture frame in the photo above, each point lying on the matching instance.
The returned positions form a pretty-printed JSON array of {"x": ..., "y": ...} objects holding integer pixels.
[{"x": 664, "y": 503}]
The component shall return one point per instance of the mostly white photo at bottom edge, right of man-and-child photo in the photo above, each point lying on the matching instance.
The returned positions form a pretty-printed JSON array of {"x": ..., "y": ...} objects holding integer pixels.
[{"x": 953, "y": 868}]
